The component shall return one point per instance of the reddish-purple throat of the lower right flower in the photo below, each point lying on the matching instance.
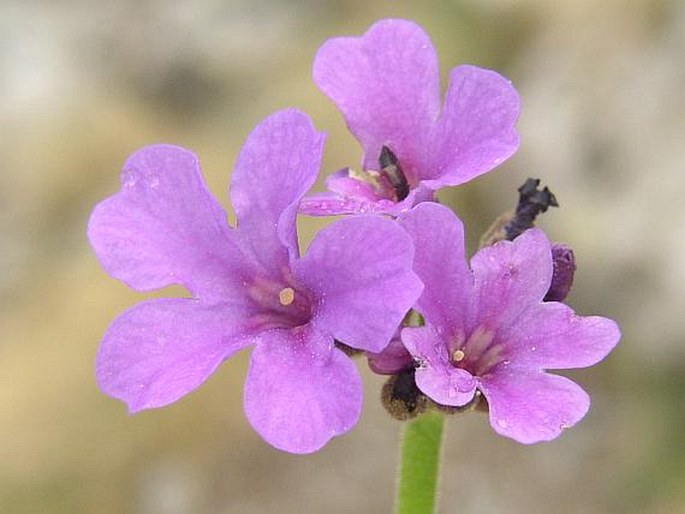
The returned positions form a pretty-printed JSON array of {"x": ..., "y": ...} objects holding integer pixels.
[{"x": 478, "y": 353}]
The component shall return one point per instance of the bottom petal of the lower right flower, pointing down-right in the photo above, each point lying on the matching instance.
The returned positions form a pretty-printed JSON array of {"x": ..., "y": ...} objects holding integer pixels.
[{"x": 530, "y": 406}]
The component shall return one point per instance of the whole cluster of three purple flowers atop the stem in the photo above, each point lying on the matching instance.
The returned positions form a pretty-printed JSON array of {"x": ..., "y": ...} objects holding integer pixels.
[{"x": 488, "y": 329}]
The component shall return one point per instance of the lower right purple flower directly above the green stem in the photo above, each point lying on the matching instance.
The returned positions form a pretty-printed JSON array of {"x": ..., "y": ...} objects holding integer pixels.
[{"x": 488, "y": 329}]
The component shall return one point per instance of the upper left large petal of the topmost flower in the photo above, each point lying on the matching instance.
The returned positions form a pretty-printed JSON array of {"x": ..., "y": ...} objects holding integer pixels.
[{"x": 387, "y": 85}]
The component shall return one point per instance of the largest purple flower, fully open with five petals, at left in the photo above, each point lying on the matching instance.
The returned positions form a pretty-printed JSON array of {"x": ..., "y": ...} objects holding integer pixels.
[{"x": 248, "y": 286}]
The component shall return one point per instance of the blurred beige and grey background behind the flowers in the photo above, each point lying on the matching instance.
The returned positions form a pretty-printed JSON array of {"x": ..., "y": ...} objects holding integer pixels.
[{"x": 83, "y": 83}]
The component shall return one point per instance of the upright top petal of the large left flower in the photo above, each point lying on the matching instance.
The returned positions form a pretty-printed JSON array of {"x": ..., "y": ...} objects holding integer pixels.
[{"x": 277, "y": 165}]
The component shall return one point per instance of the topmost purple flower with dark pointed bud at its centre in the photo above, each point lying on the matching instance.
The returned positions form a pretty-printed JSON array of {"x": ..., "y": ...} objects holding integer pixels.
[{"x": 387, "y": 85}]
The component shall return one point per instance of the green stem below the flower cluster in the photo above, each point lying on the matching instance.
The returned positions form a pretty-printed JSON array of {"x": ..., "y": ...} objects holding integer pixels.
[{"x": 417, "y": 485}]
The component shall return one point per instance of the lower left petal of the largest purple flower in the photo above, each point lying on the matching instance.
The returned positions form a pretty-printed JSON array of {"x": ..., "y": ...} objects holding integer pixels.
[{"x": 160, "y": 350}]
